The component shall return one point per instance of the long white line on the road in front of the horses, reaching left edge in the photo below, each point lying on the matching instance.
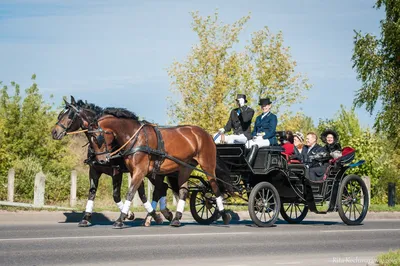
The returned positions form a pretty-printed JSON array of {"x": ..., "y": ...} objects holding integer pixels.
[{"x": 119, "y": 236}]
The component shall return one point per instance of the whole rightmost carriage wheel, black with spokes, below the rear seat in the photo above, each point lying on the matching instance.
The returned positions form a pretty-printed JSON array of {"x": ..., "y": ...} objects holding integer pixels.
[{"x": 353, "y": 200}]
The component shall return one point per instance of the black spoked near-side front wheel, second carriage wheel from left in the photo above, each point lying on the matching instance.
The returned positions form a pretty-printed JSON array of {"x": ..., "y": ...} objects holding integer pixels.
[{"x": 264, "y": 204}]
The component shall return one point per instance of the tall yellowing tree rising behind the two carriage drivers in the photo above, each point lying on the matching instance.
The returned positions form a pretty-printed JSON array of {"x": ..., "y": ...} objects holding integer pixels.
[{"x": 207, "y": 81}]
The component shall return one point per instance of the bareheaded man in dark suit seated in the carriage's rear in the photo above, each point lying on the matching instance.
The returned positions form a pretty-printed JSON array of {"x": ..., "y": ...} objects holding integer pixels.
[{"x": 315, "y": 158}]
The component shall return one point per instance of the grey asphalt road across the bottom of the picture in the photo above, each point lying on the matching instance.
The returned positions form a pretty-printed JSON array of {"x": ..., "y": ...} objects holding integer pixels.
[{"x": 310, "y": 243}]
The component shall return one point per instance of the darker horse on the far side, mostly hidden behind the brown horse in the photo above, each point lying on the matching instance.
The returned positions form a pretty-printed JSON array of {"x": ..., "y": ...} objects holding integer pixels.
[{"x": 78, "y": 115}]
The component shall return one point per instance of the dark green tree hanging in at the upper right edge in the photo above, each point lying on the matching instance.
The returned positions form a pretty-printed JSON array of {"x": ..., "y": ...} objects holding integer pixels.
[{"x": 377, "y": 62}]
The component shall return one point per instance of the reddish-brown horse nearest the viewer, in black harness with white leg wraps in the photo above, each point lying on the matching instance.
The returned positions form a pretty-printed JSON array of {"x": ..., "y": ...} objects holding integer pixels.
[{"x": 143, "y": 150}]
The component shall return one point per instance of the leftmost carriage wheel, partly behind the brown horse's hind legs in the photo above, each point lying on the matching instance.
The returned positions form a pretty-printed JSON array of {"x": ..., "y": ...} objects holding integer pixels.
[{"x": 203, "y": 207}]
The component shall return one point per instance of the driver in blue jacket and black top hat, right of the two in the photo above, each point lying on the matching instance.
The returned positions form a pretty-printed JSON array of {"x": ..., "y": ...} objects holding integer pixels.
[{"x": 264, "y": 132}]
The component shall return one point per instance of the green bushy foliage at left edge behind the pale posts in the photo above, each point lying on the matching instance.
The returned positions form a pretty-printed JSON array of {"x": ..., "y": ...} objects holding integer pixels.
[{"x": 27, "y": 145}]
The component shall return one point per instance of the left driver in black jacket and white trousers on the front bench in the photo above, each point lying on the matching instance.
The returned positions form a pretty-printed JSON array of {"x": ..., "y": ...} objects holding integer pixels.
[{"x": 239, "y": 121}]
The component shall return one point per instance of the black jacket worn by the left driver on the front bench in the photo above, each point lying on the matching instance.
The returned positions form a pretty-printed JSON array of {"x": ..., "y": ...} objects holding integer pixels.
[{"x": 240, "y": 123}]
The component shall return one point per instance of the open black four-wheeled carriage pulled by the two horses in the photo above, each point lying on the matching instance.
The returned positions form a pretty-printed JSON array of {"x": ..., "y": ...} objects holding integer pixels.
[{"x": 274, "y": 184}]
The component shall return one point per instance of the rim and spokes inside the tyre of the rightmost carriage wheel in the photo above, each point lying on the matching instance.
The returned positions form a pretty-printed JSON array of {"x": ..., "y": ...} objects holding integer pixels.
[{"x": 353, "y": 200}]
